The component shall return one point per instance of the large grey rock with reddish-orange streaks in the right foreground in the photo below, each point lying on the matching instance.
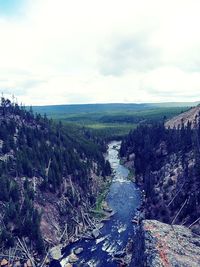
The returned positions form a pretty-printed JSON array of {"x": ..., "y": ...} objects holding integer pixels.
[{"x": 161, "y": 245}]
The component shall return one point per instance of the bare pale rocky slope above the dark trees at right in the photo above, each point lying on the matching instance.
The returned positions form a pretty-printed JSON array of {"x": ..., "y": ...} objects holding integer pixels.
[{"x": 191, "y": 116}]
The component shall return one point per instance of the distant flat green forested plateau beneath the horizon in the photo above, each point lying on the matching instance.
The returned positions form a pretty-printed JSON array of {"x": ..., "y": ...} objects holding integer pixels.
[{"x": 113, "y": 120}]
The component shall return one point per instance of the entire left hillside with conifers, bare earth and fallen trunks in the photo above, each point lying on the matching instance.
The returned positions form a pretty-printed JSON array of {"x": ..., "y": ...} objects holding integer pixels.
[{"x": 50, "y": 176}]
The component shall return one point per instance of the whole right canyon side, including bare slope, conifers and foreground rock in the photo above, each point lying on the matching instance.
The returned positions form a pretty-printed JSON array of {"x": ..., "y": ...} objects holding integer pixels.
[{"x": 166, "y": 162}]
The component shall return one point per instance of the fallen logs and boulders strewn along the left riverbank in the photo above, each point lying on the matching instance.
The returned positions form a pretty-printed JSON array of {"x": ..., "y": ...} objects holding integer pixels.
[{"x": 23, "y": 255}]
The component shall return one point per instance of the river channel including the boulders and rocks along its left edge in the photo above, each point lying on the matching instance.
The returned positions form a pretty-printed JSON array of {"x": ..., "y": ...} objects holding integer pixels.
[{"x": 112, "y": 241}]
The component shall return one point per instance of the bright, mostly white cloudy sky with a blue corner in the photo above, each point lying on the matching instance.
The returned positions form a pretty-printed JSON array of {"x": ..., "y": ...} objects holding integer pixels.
[{"x": 100, "y": 51}]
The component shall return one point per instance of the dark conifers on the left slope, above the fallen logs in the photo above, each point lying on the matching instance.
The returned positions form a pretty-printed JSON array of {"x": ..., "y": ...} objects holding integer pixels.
[{"x": 32, "y": 146}]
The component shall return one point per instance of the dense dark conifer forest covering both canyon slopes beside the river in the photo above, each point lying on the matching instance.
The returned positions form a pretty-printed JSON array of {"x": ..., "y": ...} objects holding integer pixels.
[{"x": 52, "y": 175}]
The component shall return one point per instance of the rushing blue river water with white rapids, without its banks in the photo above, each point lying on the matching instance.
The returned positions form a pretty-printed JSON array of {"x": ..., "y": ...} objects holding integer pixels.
[{"x": 124, "y": 198}]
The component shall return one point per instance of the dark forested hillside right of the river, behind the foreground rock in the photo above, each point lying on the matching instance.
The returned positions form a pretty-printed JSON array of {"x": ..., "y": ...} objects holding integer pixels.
[{"x": 167, "y": 165}]
